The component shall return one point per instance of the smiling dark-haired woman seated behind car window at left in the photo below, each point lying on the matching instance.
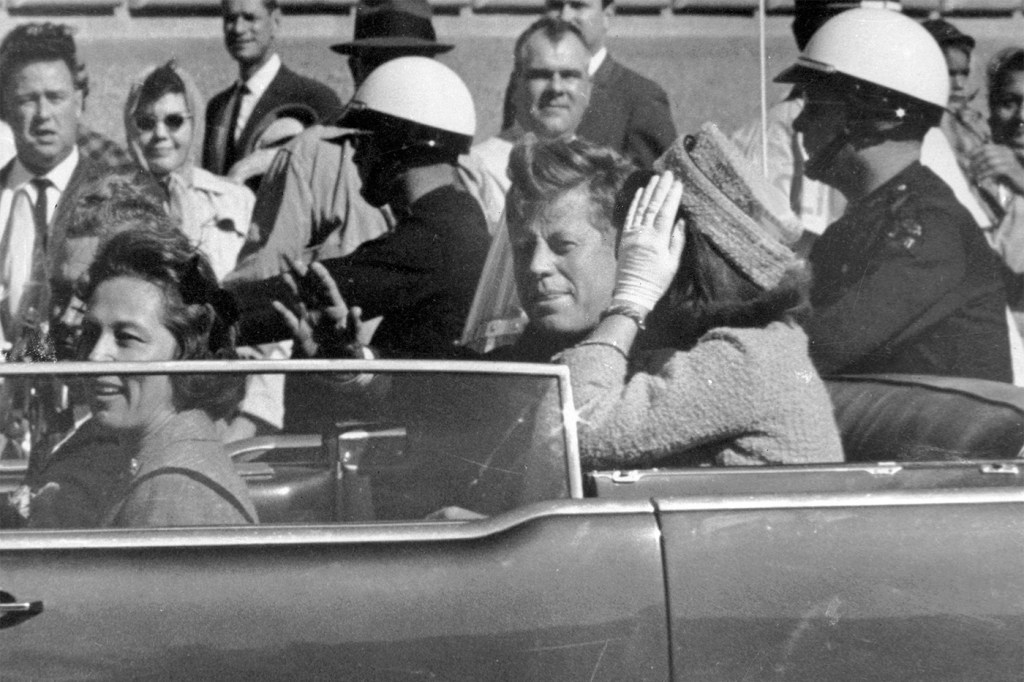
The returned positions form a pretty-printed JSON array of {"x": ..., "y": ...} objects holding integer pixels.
[{"x": 152, "y": 448}]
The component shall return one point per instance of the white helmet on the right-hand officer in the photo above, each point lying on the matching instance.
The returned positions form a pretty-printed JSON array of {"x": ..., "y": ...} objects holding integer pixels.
[{"x": 882, "y": 61}]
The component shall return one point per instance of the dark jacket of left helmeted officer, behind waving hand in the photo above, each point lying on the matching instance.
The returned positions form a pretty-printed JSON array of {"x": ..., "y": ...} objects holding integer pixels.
[{"x": 421, "y": 278}]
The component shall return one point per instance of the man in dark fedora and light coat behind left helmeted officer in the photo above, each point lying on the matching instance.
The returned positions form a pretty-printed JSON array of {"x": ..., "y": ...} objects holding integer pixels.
[{"x": 310, "y": 204}]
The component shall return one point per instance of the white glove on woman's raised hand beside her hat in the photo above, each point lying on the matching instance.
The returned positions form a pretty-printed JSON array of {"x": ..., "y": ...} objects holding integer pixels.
[{"x": 652, "y": 244}]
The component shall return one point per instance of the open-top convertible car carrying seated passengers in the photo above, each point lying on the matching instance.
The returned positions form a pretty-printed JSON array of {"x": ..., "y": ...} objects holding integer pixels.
[{"x": 432, "y": 522}]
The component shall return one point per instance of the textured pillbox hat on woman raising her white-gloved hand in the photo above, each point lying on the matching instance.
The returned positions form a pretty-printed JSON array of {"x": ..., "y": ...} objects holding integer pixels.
[{"x": 731, "y": 202}]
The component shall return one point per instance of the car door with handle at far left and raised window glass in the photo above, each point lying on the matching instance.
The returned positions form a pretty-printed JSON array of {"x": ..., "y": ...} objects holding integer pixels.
[{"x": 559, "y": 589}]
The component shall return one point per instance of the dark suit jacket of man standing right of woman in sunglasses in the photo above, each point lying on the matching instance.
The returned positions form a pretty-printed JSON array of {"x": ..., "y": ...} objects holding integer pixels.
[{"x": 286, "y": 89}]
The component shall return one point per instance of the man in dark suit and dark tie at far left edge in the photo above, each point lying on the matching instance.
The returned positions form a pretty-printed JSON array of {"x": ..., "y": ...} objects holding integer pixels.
[{"x": 42, "y": 89}]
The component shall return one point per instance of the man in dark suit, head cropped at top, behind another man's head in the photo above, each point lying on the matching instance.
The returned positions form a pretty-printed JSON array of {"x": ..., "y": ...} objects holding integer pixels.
[{"x": 627, "y": 112}]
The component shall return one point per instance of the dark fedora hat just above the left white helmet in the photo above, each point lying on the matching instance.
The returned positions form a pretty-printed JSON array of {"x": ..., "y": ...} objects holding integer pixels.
[{"x": 394, "y": 25}]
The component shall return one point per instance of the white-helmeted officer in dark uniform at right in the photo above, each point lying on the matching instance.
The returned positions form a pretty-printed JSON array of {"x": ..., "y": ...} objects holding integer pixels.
[{"x": 905, "y": 281}]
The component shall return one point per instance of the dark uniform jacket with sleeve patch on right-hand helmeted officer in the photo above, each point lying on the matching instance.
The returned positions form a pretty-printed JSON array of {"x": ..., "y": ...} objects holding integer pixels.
[{"x": 906, "y": 283}]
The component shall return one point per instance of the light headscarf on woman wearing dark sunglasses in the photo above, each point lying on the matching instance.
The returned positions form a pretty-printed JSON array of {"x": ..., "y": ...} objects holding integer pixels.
[{"x": 179, "y": 183}]
